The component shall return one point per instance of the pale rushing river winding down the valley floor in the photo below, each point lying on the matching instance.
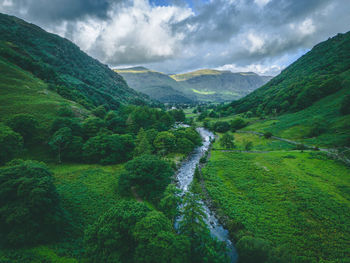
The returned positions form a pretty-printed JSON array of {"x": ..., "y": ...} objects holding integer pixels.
[{"x": 185, "y": 177}]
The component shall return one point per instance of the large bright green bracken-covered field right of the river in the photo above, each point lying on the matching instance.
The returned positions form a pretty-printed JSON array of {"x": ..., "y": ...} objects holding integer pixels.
[{"x": 299, "y": 202}]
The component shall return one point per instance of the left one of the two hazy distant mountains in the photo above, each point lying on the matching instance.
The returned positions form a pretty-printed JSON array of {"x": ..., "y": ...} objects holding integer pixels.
[{"x": 157, "y": 85}]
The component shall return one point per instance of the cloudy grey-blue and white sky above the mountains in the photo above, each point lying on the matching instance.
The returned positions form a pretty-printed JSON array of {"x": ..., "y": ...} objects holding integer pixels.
[{"x": 175, "y": 36}]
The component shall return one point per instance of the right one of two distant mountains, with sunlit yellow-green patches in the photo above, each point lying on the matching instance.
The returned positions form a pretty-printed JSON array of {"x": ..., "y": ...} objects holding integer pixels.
[{"x": 219, "y": 86}]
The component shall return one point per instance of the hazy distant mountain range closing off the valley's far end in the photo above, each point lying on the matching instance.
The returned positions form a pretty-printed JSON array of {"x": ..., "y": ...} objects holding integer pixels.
[{"x": 202, "y": 85}]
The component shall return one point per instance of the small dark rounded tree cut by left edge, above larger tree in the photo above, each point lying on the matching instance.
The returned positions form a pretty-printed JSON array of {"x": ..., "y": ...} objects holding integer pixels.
[{"x": 11, "y": 143}]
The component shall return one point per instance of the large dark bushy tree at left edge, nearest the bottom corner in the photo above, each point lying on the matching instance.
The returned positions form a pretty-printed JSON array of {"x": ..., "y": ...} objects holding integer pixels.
[{"x": 30, "y": 210}]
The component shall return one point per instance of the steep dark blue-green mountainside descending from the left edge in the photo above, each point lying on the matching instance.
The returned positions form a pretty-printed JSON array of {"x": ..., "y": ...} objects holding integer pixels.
[{"x": 61, "y": 65}]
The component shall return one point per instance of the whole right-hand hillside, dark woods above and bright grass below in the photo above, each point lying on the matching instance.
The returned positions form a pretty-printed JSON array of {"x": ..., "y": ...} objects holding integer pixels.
[{"x": 310, "y": 100}]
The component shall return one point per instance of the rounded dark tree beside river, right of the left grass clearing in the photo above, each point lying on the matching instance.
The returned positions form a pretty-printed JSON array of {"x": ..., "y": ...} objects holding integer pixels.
[{"x": 148, "y": 174}]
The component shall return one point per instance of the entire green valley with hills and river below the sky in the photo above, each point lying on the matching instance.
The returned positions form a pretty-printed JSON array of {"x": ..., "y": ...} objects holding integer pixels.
[{"x": 131, "y": 165}]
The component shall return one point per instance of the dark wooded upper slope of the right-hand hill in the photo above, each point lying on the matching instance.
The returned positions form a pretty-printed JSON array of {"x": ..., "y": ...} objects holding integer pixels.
[{"x": 319, "y": 73}]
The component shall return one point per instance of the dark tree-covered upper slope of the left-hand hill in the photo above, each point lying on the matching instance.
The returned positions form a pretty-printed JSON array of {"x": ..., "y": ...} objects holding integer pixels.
[{"x": 73, "y": 68}]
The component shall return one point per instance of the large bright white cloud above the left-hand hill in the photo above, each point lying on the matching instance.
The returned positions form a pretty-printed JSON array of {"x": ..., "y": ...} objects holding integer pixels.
[{"x": 133, "y": 33}]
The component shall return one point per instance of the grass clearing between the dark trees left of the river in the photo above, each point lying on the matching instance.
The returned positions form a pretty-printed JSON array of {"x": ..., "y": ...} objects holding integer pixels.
[{"x": 86, "y": 192}]
